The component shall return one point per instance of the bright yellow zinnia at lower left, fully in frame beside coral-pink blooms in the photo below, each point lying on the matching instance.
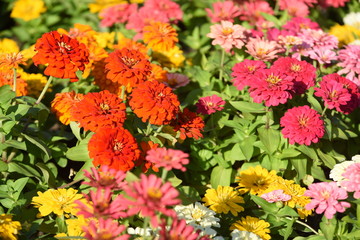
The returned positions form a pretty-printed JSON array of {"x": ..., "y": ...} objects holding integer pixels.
[{"x": 58, "y": 201}]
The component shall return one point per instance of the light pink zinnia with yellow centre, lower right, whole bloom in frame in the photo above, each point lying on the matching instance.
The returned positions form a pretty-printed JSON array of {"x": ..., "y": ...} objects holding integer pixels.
[{"x": 325, "y": 196}]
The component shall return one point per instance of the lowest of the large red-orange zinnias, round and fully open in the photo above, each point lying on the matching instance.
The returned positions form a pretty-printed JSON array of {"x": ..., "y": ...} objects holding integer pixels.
[{"x": 114, "y": 147}]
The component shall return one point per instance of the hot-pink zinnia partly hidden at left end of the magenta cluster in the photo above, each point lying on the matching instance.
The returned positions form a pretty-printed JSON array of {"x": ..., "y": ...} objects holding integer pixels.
[{"x": 244, "y": 71}]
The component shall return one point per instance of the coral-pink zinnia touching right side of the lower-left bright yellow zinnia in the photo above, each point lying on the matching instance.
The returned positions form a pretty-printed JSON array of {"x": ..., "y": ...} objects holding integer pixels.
[{"x": 100, "y": 204}]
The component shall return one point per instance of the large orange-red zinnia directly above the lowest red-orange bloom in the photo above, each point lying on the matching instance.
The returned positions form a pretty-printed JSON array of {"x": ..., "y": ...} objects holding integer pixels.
[{"x": 99, "y": 109}]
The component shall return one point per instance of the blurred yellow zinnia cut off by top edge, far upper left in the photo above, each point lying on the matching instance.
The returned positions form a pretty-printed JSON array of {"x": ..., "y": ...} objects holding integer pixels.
[{"x": 28, "y": 9}]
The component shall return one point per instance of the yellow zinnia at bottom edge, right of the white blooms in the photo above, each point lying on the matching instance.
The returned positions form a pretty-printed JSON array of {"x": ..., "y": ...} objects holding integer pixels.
[{"x": 253, "y": 224}]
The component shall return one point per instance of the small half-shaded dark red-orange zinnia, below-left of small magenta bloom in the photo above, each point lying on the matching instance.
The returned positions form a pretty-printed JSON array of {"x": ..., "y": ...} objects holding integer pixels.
[{"x": 189, "y": 124}]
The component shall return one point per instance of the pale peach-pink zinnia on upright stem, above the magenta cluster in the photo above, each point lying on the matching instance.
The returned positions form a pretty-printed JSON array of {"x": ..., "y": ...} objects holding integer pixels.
[{"x": 227, "y": 35}]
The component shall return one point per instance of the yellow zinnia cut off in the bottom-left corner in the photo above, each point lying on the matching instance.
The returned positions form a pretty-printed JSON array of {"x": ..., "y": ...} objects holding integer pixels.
[{"x": 8, "y": 228}]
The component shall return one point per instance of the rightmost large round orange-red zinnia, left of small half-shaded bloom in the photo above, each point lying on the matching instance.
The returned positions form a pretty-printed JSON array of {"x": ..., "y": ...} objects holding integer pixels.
[{"x": 154, "y": 102}]
